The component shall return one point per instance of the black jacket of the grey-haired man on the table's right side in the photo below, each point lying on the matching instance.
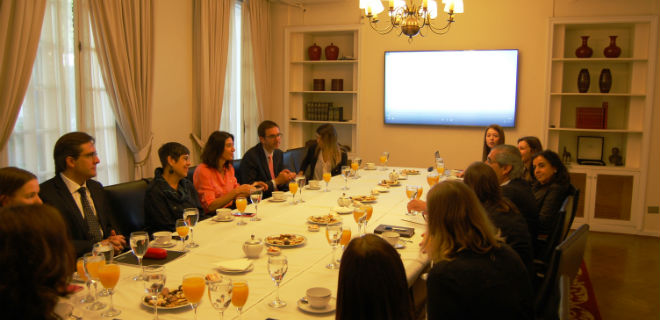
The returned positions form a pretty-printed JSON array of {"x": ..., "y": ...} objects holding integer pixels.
[{"x": 520, "y": 193}]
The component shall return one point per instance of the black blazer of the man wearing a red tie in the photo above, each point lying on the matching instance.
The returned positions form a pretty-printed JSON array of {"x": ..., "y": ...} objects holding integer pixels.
[{"x": 254, "y": 167}]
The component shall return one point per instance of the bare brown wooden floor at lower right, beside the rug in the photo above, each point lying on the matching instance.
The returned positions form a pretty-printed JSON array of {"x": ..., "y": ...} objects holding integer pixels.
[{"x": 625, "y": 273}]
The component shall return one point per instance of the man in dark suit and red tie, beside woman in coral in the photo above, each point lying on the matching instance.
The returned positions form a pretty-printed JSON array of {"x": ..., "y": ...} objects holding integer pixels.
[{"x": 264, "y": 162}]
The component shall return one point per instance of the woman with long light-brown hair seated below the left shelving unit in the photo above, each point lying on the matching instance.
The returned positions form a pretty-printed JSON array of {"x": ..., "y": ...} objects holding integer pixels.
[{"x": 323, "y": 155}]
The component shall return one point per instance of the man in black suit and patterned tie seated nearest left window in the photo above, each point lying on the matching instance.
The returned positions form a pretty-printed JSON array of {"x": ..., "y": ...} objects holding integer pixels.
[{"x": 80, "y": 200}]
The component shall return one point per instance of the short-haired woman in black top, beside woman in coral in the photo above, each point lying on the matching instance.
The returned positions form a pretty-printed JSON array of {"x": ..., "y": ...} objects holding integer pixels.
[{"x": 169, "y": 192}]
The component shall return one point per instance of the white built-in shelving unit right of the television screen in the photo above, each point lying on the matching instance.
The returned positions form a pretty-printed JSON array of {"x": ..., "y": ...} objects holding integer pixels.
[{"x": 612, "y": 197}]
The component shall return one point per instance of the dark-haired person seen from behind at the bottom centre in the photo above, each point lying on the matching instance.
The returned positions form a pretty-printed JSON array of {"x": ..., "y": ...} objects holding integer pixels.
[{"x": 372, "y": 282}]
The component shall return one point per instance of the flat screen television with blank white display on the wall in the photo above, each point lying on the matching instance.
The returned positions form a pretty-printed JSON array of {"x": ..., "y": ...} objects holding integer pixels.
[{"x": 451, "y": 88}]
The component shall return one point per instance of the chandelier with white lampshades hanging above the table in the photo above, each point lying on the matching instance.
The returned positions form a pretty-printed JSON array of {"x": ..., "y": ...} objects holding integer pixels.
[{"x": 409, "y": 17}]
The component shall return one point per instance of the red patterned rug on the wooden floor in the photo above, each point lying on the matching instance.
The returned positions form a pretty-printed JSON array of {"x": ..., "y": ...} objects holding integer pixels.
[{"x": 583, "y": 299}]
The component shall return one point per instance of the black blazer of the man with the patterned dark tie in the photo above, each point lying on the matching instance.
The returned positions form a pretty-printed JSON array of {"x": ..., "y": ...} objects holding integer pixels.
[{"x": 55, "y": 193}]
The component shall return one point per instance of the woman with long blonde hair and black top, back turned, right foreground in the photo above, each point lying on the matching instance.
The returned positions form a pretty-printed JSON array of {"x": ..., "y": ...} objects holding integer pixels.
[{"x": 475, "y": 274}]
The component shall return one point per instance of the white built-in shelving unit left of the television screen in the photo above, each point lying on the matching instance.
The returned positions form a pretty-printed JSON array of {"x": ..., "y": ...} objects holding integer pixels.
[{"x": 299, "y": 75}]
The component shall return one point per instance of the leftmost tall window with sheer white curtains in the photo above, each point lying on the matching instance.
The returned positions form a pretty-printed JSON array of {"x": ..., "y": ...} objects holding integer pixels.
[{"x": 66, "y": 93}]
